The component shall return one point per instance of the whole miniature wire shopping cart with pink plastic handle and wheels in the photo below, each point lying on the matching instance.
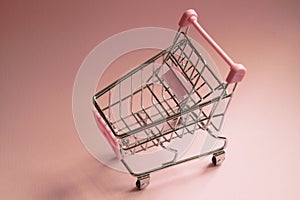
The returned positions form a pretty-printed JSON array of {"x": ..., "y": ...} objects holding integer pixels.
[{"x": 170, "y": 97}]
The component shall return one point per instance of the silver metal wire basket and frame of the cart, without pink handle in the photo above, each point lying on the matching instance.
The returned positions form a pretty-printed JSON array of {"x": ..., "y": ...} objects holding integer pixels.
[{"x": 171, "y": 119}]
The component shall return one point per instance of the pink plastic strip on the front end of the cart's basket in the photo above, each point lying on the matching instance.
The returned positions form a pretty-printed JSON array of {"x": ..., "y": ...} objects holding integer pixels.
[{"x": 107, "y": 134}]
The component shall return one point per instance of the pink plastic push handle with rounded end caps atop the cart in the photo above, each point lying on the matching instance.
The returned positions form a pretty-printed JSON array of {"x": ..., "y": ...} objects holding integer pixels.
[{"x": 237, "y": 71}]
